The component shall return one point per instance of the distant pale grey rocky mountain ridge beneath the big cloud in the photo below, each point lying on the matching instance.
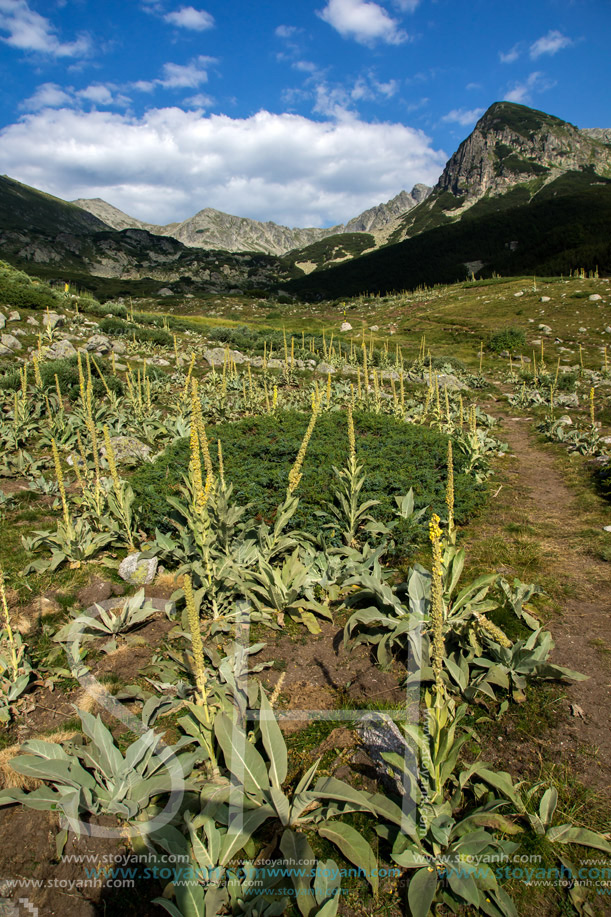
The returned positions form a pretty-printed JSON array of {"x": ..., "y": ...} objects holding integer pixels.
[{"x": 213, "y": 229}]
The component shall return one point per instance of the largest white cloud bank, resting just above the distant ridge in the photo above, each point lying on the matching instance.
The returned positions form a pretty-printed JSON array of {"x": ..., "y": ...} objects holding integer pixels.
[{"x": 170, "y": 163}]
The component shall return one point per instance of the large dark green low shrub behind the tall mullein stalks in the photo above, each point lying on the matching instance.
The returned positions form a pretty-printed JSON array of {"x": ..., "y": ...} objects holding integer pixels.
[{"x": 259, "y": 452}]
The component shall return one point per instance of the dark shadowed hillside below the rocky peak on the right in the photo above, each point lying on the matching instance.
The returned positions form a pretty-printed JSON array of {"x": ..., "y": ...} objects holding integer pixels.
[{"x": 565, "y": 226}]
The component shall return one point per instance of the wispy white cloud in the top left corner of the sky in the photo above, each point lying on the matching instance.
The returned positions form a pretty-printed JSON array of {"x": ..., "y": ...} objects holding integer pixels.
[{"x": 29, "y": 31}]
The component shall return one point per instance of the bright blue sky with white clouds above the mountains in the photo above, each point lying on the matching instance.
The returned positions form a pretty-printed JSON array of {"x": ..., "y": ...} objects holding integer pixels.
[{"x": 304, "y": 113}]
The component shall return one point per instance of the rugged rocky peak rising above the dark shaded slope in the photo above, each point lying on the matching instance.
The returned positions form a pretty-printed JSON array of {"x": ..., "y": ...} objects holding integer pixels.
[{"x": 512, "y": 144}]
